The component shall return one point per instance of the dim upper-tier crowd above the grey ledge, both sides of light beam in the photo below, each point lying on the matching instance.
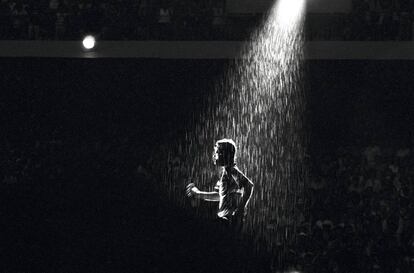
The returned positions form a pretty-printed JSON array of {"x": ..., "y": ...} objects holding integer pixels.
[{"x": 189, "y": 20}]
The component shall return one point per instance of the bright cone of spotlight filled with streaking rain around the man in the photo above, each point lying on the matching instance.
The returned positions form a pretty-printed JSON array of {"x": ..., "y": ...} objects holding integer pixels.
[{"x": 259, "y": 103}]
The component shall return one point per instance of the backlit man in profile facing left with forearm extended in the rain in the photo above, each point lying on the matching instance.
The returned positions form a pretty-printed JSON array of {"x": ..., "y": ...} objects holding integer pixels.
[{"x": 233, "y": 191}]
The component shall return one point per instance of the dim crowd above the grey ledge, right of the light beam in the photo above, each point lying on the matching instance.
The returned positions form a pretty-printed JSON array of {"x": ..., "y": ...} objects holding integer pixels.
[{"x": 369, "y": 20}]
